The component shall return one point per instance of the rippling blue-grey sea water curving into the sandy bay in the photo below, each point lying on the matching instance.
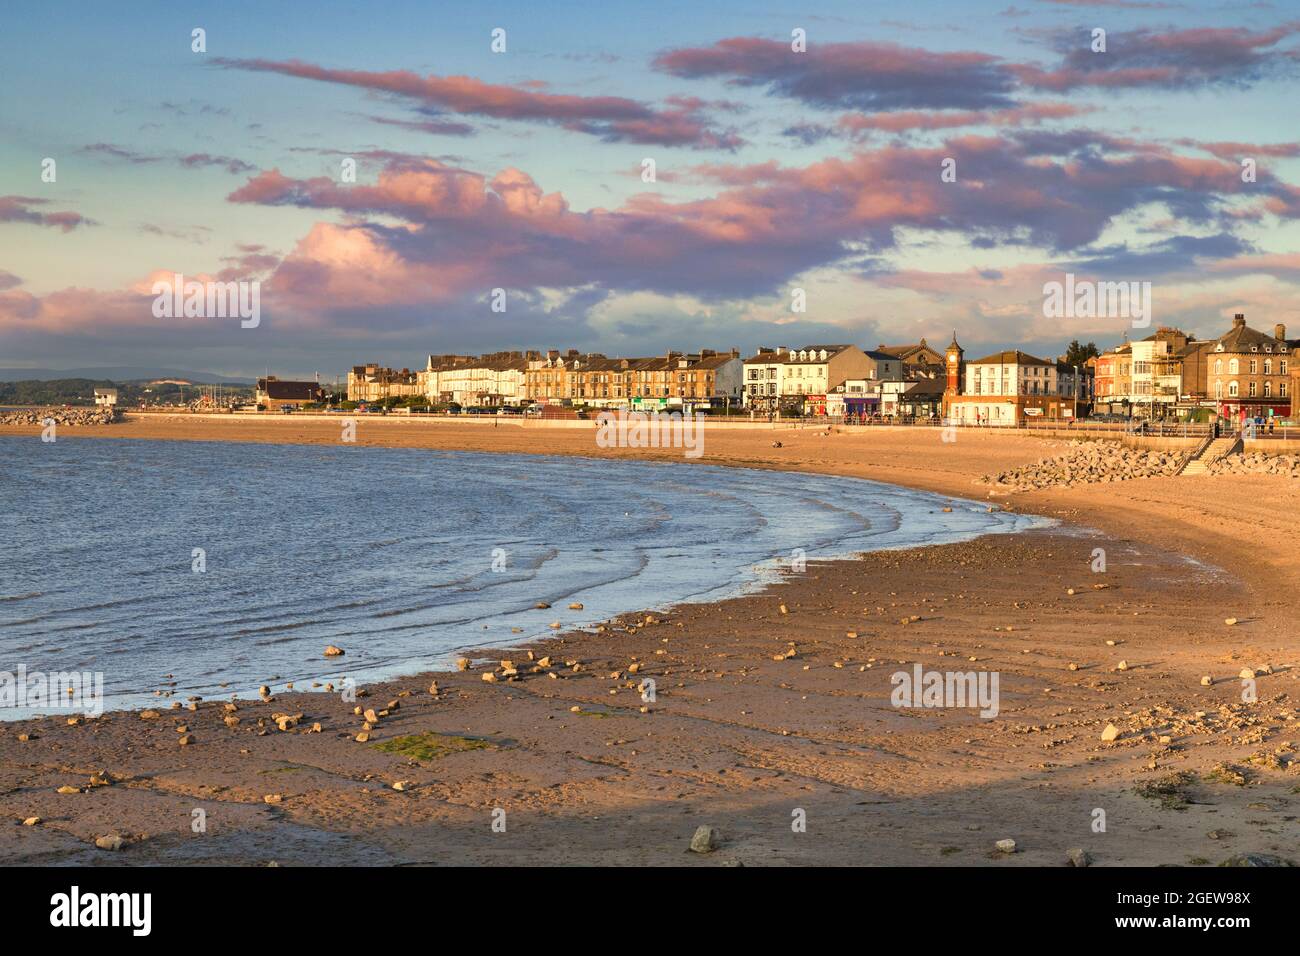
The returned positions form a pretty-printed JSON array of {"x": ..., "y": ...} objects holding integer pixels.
[{"x": 400, "y": 556}]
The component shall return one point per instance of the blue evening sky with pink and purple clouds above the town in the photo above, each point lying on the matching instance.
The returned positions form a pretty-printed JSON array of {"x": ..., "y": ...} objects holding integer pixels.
[{"x": 777, "y": 168}]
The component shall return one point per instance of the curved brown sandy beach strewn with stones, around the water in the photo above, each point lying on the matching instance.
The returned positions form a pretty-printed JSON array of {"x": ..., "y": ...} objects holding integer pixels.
[{"x": 588, "y": 773}]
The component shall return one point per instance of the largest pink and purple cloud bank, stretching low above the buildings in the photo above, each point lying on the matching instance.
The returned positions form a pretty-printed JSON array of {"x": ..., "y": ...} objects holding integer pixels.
[{"x": 462, "y": 233}]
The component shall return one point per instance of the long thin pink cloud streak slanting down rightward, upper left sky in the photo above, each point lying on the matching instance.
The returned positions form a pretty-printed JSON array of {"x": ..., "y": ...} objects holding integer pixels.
[{"x": 613, "y": 119}]
